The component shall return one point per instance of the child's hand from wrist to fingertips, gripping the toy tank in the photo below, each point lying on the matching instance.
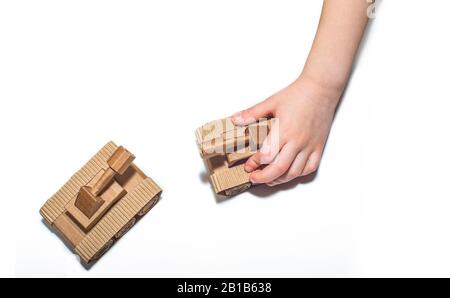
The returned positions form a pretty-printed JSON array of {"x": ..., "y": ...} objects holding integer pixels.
[{"x": 305, "y": 111}]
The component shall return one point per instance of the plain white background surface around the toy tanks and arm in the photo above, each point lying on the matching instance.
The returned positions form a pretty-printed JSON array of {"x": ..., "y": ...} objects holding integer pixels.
[{"x": 76, "y": 74}]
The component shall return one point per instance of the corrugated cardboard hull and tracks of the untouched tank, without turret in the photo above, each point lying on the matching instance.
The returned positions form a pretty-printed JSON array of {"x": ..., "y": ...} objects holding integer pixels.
[{"x": 91, "y": 242}]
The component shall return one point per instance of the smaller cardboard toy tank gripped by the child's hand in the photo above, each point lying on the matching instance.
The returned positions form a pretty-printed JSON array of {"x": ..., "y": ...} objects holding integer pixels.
[{"x": 225, "y": 148}]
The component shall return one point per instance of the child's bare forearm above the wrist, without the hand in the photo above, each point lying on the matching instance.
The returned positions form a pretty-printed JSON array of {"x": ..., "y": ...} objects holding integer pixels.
[{"x": 340, "y": 31}]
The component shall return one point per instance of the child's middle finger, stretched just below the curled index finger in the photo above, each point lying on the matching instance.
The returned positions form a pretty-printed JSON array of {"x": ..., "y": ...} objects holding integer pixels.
[{"x": 279, "y": 166}]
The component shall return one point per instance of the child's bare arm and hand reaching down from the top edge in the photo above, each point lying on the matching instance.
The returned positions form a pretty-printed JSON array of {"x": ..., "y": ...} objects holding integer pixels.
[{"x": 306, "y": 108}]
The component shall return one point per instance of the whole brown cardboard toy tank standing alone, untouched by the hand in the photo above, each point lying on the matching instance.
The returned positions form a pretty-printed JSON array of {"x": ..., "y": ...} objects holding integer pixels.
[{"x": 101, "y": 203}]
